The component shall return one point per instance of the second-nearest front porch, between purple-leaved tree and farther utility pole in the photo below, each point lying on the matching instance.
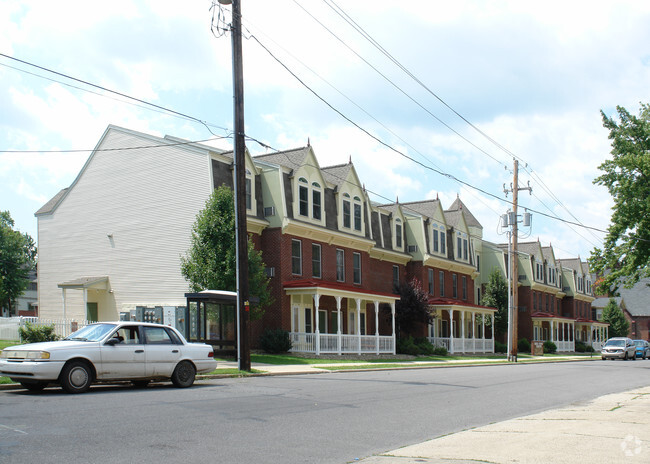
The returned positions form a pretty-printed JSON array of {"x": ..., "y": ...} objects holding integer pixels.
[{"x": 462, "y": 328}]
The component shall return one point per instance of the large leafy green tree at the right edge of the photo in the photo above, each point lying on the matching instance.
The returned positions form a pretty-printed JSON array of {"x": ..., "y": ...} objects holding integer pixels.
[{"x": 626, "y": 248}]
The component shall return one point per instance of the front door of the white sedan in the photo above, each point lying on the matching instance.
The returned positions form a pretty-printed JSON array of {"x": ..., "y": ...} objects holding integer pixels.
[{"x": 123, "y": 354}]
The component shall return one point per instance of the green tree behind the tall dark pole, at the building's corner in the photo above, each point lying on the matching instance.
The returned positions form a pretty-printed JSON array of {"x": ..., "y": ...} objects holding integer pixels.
[{"x": 210, "y": 263}]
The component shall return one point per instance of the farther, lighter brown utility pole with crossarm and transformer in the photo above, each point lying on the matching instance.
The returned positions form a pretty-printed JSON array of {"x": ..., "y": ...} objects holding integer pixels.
[{"x": 513, "y": 308}]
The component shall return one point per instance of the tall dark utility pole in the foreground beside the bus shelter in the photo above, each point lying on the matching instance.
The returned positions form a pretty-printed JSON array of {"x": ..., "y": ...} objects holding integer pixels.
[{"x": 239, "y": 143}]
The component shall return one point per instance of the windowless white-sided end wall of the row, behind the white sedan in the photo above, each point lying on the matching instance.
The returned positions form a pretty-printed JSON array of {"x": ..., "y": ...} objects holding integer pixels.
[{"x": 107, "y": 227}]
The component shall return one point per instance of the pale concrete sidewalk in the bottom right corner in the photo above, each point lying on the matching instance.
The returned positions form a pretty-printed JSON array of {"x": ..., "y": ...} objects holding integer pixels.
[{"x": 611, "y": 429}]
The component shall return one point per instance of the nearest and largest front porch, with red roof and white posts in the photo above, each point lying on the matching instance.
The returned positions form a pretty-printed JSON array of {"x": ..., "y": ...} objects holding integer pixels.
[{"x": 332, "y": 318}]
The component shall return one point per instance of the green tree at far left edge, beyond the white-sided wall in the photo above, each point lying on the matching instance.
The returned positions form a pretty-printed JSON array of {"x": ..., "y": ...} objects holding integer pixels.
[{"x": 17, "y": 259}]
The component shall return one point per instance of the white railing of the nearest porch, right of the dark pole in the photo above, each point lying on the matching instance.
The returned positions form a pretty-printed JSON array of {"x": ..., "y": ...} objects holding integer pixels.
[{"x": 345, "y": 344}]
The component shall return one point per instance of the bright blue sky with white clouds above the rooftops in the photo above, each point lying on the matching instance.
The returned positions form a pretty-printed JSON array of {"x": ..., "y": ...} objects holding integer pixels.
[{"x": 427, "y": 98}]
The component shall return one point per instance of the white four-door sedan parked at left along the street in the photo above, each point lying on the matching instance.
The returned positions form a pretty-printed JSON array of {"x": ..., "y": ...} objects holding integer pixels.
[{"x": 106, "y": 351}]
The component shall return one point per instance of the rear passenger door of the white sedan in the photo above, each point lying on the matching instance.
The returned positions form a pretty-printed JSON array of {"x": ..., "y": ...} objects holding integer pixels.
[{"x": 162, "y": 351}]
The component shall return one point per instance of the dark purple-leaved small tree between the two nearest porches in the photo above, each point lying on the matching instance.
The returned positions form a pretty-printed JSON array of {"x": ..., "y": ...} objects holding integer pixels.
[{"x": 412, "y": 310}]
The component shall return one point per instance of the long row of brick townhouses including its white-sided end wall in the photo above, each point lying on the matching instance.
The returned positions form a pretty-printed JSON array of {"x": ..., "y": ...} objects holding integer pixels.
[{"x": 111, "y": 242}]
